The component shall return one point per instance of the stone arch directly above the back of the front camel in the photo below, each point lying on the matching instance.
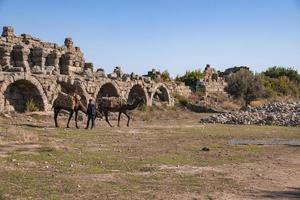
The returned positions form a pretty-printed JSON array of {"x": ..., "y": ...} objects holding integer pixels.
[{"x": 107, "y": 89}]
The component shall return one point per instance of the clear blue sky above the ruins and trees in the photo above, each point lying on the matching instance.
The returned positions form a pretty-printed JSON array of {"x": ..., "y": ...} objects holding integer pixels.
[{"x": 176, "y": 35}]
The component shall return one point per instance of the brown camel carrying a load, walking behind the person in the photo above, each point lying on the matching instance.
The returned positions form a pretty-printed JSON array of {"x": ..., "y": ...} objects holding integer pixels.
[{"x": 69, "y": 103}]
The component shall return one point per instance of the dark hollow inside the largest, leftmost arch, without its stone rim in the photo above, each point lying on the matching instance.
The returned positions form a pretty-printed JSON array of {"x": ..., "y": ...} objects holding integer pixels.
[{"x": 20, "y": 93}]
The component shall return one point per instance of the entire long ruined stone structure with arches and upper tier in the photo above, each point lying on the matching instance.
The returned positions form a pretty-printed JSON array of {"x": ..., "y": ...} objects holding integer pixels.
[{"x": 32, "y": 69}]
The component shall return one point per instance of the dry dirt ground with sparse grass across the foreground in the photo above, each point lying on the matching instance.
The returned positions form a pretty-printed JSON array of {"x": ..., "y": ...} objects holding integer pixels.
[{"x": 164, "y": 154}]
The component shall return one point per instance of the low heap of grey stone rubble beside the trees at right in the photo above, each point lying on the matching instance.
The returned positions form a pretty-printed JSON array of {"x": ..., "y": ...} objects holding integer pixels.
[{"x": 279, "y": 113}]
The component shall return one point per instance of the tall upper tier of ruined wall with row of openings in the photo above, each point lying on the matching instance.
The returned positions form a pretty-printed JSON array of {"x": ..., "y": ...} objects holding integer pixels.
[{"x": 28, "y": 54}]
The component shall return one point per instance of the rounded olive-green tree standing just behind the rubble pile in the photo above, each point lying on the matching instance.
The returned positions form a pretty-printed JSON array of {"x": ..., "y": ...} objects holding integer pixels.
[{"x": 245, "y": 85}]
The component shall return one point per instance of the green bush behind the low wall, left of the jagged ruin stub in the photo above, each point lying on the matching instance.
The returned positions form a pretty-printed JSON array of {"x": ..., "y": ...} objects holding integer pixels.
[{"x": 190, "y": 78}]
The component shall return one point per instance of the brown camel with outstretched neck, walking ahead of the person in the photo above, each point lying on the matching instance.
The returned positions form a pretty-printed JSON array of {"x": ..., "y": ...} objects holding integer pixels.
[{"x": 116, "y": 104}]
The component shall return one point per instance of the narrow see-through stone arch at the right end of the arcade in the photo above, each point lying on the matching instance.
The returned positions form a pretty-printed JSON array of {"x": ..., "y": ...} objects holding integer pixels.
[{"x": 160, "y": 95}]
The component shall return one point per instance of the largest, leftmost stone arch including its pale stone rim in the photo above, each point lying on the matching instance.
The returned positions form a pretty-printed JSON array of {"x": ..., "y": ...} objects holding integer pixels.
[{"x": 18, "y": 89}]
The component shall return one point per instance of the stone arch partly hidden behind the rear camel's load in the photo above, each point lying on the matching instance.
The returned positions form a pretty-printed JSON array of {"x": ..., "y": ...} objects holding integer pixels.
[{"x": 71, "y": 87}]
